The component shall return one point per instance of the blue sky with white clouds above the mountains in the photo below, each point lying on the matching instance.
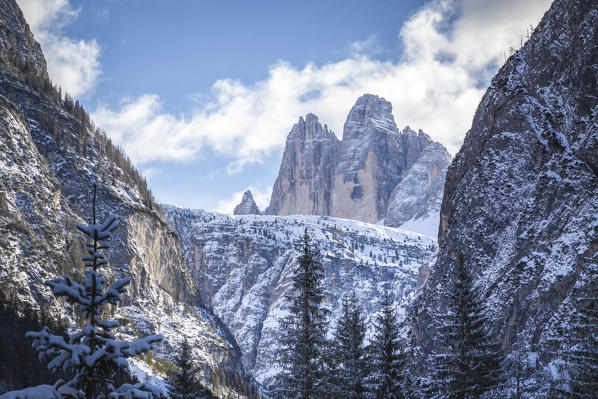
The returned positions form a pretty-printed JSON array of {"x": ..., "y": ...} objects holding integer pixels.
[{"x": 202, "y": 94}]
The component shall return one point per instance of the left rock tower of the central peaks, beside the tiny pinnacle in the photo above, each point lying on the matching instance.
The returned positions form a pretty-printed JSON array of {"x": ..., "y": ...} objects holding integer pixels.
[{"x": 305, "y": 178}]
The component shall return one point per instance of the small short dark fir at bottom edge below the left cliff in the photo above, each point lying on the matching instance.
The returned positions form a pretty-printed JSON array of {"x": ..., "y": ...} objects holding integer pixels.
[{"x": 182, "y": 382}]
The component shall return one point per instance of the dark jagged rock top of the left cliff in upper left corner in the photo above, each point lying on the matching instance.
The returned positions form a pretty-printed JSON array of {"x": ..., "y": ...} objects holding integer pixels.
[{"x": 16, "y": 39}]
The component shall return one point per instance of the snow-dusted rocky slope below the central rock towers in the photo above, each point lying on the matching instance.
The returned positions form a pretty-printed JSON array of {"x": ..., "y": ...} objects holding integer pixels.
[{"x": 242, "y": 266}]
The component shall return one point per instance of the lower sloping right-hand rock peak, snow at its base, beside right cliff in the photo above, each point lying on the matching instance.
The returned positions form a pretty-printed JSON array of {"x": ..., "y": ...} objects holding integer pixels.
[{"x": 418, "y": 196}]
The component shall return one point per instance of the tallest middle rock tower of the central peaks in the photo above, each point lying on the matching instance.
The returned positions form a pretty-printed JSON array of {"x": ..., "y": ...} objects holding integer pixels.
[{"x": 374, "y": 157}]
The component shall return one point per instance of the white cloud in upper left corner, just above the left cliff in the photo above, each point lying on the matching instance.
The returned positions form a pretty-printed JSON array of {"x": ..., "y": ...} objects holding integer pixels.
[{"x": 72, "y": 64}]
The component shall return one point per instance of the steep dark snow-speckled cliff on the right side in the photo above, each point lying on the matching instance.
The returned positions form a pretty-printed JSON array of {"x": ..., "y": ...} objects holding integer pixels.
[{"x": 521, "y": 197}]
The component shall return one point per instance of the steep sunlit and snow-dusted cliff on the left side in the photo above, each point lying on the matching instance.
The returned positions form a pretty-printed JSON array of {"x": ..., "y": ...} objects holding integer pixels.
[{"x": 49, "y": 155}]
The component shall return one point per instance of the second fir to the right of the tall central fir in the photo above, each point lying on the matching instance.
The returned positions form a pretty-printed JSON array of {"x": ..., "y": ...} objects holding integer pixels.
[{"x": 387, "y": 355}]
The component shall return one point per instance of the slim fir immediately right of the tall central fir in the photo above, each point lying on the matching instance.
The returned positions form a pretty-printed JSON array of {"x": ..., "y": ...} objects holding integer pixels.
[{"x": 348, "y": 351}]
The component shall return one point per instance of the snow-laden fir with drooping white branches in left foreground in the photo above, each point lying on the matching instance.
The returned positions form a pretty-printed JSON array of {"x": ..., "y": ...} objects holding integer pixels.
[{"x": 92, "y": 355}]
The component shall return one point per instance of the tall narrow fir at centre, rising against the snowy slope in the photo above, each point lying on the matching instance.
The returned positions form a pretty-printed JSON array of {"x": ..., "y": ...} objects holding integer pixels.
[{"x": 304, "y": 330}]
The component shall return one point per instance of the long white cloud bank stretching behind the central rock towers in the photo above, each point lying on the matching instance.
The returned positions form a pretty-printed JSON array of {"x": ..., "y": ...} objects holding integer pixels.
[{"x": 435, "y": 86}]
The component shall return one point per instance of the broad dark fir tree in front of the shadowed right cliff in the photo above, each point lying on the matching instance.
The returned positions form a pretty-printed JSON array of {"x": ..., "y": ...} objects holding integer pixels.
[{"x": 468, "y": 363}]
